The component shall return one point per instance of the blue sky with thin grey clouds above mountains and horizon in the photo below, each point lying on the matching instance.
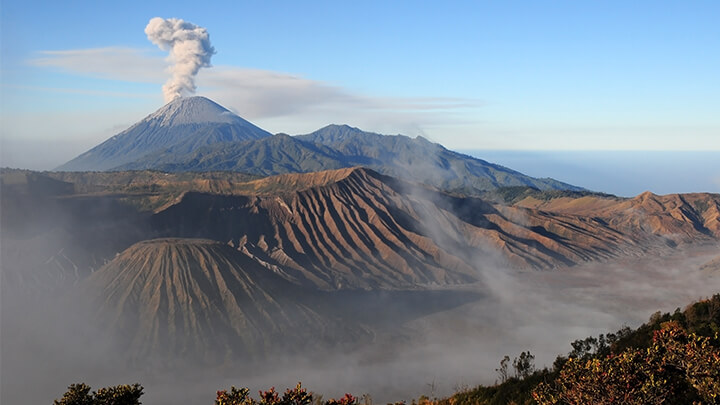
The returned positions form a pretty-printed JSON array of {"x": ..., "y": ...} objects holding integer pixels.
[{"x": 527, "y": 75}]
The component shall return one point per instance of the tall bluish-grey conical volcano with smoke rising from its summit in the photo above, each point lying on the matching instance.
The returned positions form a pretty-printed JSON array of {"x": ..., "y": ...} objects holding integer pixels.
[{"x": 180, "y": 126}]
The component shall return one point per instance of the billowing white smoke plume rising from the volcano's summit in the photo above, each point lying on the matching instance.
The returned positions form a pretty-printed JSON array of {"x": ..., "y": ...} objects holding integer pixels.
[{"x": 190, "y": 50}]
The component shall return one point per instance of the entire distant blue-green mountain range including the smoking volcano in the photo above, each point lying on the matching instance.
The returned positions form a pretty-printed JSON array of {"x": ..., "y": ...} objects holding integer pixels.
[{"x": 197, "y": 134}]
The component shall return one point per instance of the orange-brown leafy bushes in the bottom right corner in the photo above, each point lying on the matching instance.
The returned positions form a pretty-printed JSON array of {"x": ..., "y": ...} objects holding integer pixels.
[{"x": 676, "y": 369}]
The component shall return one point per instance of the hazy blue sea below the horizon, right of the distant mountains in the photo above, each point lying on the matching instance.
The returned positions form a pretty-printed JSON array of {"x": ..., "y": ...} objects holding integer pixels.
[{"x": 623, "y": 173}]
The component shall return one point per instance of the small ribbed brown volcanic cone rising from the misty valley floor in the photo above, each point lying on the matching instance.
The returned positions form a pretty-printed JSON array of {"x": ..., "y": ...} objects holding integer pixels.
[{"x": 201, "y": 300}]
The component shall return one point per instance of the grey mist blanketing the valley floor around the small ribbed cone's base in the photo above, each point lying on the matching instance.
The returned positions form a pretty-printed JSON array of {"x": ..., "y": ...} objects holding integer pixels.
[{"x": 428, "y": 351}]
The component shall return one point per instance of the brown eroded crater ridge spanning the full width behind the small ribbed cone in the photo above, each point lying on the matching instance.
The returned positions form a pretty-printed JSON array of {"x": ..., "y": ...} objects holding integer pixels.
[{"x": 330, "y": 228}]
